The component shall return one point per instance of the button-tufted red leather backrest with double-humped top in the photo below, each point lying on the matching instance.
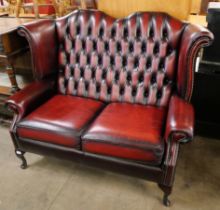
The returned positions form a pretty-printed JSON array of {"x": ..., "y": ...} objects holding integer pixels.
[{"x": 130, "y": 60}]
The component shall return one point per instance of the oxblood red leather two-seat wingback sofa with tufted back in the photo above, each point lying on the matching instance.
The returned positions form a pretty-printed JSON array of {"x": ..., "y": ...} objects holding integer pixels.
[{"x": 113, "y": 93}]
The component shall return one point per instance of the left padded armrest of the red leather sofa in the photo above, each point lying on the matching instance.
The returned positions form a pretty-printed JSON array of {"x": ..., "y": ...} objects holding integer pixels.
[{"x": 29, "y": 98}]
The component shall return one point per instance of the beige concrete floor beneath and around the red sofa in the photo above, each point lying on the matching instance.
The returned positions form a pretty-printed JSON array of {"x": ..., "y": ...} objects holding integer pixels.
[{"x": 52, "y": 184}]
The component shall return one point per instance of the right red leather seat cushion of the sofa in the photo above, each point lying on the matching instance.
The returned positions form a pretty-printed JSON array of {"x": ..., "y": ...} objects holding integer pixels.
[{"x": 127, "y": 131}]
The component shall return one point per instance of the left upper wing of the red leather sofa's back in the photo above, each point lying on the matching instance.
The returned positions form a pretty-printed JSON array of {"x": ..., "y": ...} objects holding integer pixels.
[{"x": 42, "y": 39}]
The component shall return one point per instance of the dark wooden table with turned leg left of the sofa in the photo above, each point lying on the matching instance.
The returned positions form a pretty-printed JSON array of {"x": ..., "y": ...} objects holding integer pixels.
[{"x": 14, "y": 51}]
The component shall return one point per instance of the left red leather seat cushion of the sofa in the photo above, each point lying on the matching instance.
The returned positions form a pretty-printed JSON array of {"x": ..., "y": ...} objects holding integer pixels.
[{"x": 61, "y": 120}]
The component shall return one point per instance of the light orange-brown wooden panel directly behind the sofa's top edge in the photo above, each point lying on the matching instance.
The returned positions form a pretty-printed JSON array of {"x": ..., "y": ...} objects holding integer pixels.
[{"x": 122, "y": 8}]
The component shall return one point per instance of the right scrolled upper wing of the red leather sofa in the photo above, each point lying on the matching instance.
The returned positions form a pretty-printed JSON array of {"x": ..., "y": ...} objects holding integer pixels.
[{"x": 193, "y": 39}]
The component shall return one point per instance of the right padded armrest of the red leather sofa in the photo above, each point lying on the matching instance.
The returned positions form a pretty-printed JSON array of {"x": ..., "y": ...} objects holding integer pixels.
[{"x": 180, "y": 120}]
